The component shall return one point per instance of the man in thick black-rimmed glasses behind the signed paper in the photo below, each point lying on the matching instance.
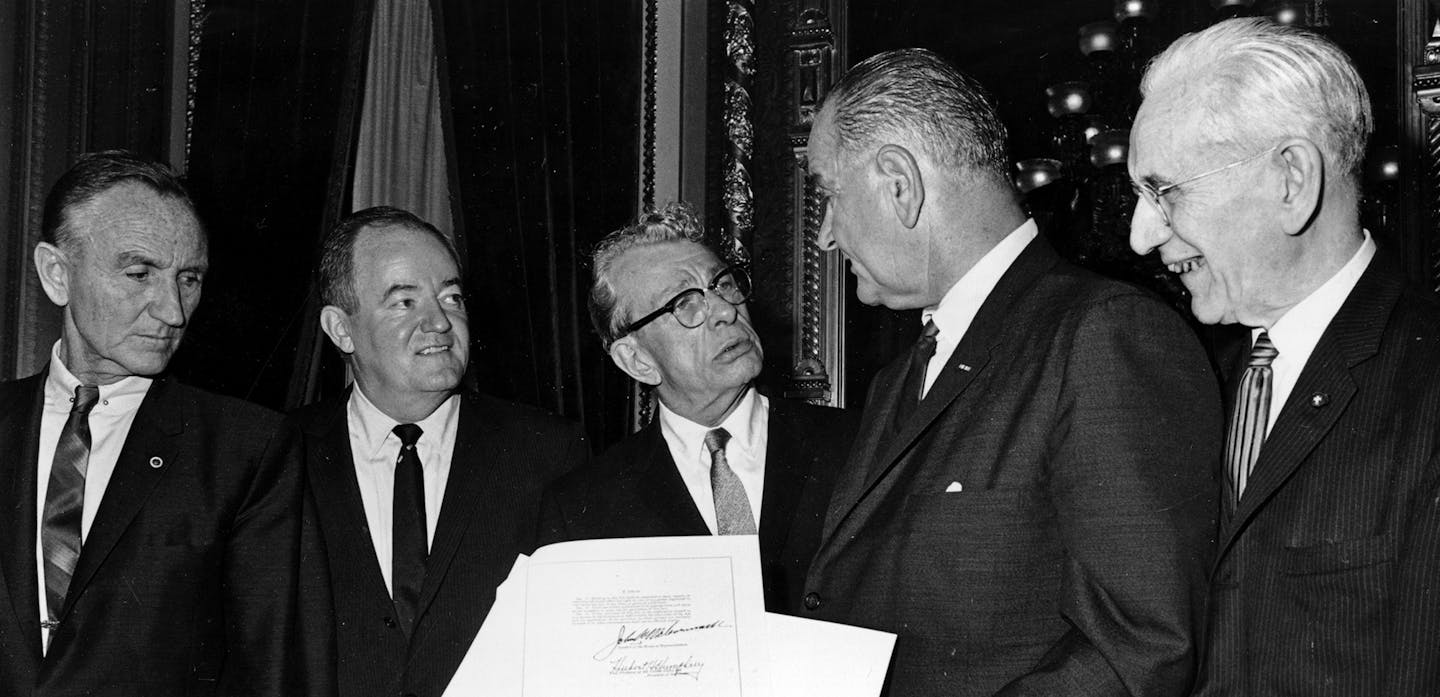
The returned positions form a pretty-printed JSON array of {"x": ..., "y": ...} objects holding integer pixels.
[{"x": 673, "y": 316}]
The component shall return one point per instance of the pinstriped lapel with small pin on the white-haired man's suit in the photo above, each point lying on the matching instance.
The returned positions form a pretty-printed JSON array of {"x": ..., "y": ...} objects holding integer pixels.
[{"x": 1351, "y": 339}]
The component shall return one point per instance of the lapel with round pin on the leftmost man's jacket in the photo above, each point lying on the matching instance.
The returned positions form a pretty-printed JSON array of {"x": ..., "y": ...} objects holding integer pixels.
[{"x": 152, "y": 450}]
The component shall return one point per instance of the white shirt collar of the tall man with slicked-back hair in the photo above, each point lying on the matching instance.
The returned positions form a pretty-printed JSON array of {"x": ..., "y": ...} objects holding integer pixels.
[{"x": 957, "y": 310}]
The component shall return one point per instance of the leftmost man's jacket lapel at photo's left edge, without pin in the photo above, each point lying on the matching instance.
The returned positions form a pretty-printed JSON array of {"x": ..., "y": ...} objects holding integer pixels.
[{"x": 21, "y": 408}]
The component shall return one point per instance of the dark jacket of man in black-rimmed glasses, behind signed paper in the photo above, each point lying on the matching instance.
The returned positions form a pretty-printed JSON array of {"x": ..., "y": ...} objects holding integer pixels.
[{"x": 634, "y": 490}]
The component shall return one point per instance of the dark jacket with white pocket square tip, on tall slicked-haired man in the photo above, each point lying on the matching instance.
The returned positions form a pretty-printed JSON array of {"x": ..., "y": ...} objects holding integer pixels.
[{"x": 1045, "y": 522}]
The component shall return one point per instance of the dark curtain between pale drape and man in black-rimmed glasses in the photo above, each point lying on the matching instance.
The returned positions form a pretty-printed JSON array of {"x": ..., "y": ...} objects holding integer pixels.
[{"x": 545, "y": 104}]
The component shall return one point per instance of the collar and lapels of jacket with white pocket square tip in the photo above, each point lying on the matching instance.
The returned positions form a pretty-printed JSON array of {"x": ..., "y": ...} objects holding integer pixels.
[{"x": 966, "y": 365}]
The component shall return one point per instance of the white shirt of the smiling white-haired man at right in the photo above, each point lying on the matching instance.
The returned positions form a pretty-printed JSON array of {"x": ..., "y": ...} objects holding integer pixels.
[{"x": 1300, "y": 329}]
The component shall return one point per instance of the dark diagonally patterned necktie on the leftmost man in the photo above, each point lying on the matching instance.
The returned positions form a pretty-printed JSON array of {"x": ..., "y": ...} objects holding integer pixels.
[{"x": 66, "y": 502}]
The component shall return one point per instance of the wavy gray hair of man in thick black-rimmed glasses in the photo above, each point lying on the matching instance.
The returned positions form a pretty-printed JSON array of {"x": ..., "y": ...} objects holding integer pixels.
[{"x": 676, "y": 222}]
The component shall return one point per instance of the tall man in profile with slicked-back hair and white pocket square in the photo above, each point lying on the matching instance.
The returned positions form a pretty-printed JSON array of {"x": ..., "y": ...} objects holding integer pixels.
[{"x": 1030, "y": 505}]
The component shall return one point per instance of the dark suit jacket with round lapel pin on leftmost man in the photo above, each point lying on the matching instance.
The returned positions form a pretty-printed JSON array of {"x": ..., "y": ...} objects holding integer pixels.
[{"x": 186, "y": 584}]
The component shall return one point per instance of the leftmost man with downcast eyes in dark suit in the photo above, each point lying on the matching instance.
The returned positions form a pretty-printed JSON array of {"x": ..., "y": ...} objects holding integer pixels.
[{"x": 149, "y": 539}]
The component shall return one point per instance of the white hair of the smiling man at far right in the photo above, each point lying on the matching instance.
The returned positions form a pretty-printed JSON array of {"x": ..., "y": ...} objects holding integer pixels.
[{"x": 1262, "y": 83}]
